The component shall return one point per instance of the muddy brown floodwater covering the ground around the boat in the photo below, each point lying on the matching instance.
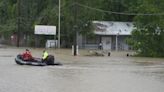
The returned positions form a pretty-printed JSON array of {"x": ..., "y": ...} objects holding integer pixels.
[{"x": 116, "y": 73}]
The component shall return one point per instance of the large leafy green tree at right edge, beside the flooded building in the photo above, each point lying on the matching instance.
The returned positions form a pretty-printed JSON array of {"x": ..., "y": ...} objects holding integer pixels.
[{"x": 148, "y": 37}]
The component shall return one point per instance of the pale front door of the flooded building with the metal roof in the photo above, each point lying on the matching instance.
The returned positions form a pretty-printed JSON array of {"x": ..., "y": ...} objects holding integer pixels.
[{"x": 106, "y": 43}]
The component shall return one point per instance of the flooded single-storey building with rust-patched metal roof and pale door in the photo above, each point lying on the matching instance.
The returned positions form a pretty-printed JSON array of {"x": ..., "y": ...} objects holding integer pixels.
[{"x": 111, "y": 34}]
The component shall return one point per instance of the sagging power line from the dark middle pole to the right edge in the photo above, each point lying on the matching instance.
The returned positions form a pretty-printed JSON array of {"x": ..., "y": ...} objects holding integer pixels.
[{"x": 119, "y": 13}]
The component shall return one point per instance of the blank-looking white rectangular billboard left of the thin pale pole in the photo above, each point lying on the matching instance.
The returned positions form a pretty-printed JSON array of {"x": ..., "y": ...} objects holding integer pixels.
[{"x": 45, "y": 30}]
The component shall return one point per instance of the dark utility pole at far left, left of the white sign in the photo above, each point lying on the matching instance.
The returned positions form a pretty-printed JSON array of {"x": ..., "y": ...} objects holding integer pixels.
[{"x": 18, "y": 21}]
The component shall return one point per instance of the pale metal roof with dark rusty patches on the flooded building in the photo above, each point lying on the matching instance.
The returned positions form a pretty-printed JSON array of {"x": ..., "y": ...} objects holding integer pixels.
[{"x": 113, "y": 28}]
